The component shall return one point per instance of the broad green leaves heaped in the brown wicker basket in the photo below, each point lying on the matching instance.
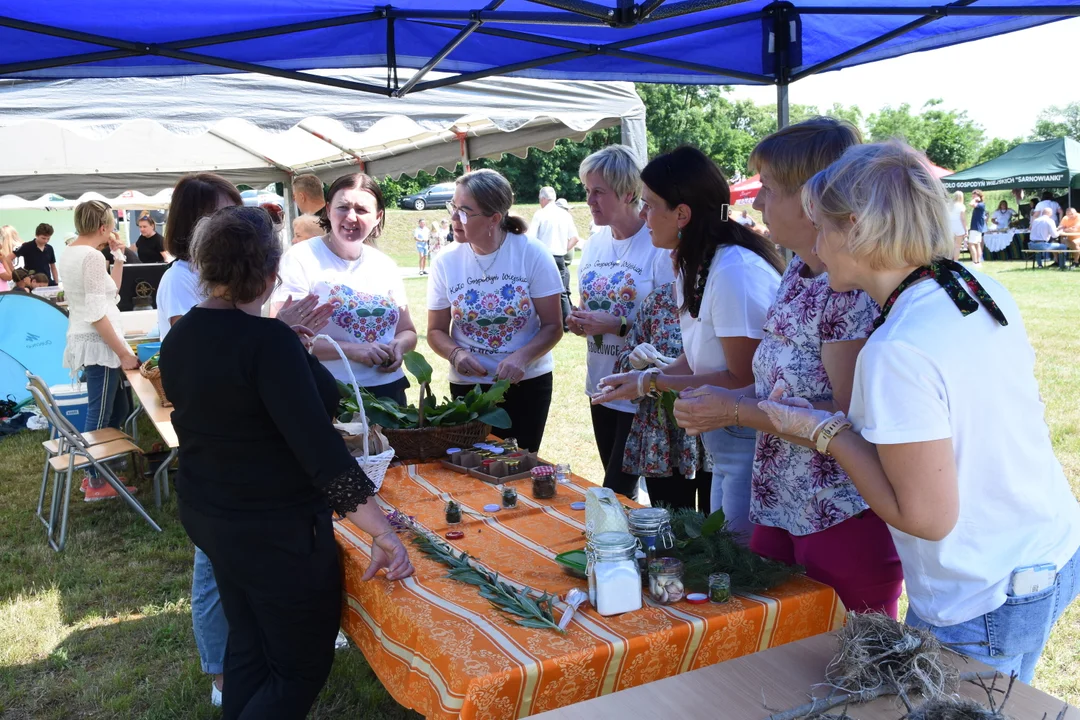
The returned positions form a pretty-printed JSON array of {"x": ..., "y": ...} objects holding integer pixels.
[{"x": 476, "y": 405}]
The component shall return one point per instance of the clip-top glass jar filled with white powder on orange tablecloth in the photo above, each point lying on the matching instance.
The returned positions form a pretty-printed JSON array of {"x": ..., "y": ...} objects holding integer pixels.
[{"x": 615, "y": 585}]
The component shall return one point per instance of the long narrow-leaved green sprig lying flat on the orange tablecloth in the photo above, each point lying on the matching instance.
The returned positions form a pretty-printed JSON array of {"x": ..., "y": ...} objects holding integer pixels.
[{"x": 524, "y": 609}]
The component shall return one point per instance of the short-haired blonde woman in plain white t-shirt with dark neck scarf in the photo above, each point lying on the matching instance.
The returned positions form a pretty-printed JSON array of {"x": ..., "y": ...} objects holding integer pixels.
[{"x": 988, "y": 531}]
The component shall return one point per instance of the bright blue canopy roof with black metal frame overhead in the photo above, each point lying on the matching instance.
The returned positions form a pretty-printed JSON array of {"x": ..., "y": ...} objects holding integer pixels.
[{"x": 678, "y": 42}]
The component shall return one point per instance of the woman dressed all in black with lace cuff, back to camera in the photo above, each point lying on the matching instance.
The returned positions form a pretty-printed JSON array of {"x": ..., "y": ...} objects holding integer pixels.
[{"x": 262, "y": 467}]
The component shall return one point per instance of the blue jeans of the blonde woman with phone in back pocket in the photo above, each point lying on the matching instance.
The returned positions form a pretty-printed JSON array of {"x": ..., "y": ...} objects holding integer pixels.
[{"x": 1011, "y": 639}]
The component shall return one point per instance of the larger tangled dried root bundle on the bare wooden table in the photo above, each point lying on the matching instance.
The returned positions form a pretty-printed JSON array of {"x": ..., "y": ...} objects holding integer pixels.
[{"x": 879, "y": 655}]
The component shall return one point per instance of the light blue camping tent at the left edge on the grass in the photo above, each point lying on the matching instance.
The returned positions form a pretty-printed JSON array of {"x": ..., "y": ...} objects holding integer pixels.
[{"x": 33, "y": 334}]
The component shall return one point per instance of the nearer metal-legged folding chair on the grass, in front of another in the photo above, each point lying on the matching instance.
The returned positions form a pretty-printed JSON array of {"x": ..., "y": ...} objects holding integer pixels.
[{"x": 82, "y": 456}]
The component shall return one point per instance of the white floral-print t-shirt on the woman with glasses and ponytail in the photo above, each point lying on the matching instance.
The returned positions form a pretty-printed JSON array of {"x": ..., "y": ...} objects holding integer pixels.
[{"x": 491, "y": 297}]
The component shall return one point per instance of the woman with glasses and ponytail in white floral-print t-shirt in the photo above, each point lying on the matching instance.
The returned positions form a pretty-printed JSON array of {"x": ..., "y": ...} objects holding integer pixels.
[{"x": 494, "y": 305}]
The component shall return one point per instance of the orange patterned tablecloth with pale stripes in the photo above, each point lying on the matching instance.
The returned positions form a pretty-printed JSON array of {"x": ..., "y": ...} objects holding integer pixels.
[{"x": 444, "y": 651}]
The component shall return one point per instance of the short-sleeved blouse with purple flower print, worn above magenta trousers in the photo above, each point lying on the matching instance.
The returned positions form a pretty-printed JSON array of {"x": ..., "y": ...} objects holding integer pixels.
[{"x": 795, "y": 488}]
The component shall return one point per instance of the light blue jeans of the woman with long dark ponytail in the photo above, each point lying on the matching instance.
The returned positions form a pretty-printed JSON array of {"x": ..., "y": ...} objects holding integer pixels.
[{"x": 732, "y": 451}]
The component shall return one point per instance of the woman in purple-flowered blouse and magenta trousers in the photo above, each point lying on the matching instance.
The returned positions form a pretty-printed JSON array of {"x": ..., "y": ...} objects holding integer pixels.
[{"x": 804, "y": 507}]
